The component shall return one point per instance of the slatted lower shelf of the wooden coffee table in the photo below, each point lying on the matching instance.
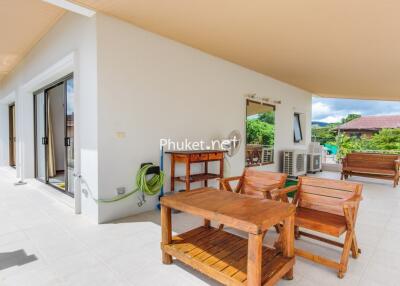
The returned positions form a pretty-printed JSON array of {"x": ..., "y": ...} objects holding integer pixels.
[{"x": 223, "y": 256}]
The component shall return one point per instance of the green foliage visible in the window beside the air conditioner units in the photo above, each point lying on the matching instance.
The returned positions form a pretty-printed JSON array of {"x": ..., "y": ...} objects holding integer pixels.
[{"x": 259, "y": 132}]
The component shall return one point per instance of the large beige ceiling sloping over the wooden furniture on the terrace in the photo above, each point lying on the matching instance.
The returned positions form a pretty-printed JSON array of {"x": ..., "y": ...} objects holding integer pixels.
[{"x": 334, "y": 48}]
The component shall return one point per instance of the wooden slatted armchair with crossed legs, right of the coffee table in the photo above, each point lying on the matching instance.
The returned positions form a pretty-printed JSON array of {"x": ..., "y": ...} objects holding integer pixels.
[{"x": 329, "y": 207}]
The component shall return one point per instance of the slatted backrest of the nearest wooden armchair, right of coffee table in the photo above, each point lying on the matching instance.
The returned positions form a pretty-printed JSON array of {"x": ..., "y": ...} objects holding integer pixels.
[{"x": 326, "y": 195}]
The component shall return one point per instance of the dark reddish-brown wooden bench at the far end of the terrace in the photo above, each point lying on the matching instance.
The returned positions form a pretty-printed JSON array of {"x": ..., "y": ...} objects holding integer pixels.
[{"x": 373, "y": 165}]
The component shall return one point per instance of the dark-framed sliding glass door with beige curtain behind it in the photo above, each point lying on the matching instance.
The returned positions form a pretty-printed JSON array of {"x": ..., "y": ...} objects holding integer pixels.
[{"x": 54, "y": 134}]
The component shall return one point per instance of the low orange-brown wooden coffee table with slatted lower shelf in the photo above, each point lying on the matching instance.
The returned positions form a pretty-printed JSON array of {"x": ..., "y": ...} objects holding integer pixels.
[{"x": 228, "y": 258}]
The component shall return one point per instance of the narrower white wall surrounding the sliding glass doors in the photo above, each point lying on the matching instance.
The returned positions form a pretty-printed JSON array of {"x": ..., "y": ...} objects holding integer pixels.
[{"x": 76, "y": 35}]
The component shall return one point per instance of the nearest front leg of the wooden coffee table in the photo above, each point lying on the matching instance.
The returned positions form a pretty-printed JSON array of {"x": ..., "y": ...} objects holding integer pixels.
[{"x": 254, "y": 259}]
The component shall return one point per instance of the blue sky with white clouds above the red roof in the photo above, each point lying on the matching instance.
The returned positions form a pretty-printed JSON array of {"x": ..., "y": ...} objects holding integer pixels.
[{"x": 331, "y": 110}]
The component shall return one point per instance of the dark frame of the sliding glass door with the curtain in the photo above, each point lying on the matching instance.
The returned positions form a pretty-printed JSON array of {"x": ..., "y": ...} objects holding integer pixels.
[{"x": 45, "y": 90}]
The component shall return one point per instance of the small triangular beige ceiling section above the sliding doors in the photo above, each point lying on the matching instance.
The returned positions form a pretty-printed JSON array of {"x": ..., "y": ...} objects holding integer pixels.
[{"x": 22, "y": 24}]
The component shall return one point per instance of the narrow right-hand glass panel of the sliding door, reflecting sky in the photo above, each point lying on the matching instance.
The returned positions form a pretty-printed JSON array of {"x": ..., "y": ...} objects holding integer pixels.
[{"x": 69, "y": 136}]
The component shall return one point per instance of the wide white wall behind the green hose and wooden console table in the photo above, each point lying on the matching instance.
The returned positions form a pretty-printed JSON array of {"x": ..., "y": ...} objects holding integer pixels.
[{"x": 151, "y": 88}]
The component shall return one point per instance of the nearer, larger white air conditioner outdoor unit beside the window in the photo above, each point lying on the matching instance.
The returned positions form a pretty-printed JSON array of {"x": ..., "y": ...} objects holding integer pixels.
[{"x": 295, "y": 162}]
